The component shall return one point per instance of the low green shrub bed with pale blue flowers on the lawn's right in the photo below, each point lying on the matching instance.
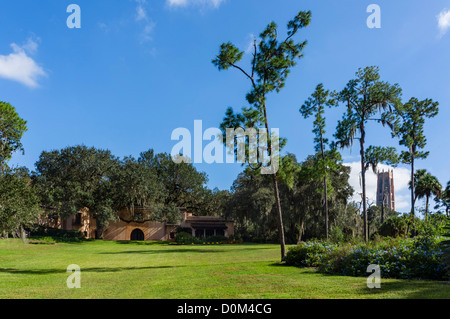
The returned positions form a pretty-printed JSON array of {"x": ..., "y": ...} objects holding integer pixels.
[{"x": 398, "y": 258}]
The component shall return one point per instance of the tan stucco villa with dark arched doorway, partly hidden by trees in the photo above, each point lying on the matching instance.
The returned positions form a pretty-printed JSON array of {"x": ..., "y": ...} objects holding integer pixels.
[{"x": 132, "y": 226}]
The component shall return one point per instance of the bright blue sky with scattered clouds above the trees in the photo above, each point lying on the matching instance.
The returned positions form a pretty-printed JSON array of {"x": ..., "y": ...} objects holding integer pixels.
[{"x": 137, "y": 70}]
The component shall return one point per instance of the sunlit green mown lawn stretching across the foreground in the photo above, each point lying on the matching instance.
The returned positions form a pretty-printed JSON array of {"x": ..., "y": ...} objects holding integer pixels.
[{"x": 160, "y": 270}]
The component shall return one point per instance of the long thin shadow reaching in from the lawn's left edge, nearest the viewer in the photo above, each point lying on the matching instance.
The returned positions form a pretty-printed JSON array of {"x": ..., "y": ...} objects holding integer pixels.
[{"x": 92, "y": 269}]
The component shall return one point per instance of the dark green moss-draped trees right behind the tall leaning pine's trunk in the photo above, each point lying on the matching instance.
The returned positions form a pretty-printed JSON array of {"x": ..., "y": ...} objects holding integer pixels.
[{"x": 252, "y": 204}]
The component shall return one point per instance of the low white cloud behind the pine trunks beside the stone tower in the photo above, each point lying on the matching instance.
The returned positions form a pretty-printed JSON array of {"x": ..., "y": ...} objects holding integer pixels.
[{"x": 402, "y": 177}]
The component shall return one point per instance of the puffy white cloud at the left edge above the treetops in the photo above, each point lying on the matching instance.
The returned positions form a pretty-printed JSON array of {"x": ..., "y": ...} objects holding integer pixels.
[{"x": 19, "y": 66}]
